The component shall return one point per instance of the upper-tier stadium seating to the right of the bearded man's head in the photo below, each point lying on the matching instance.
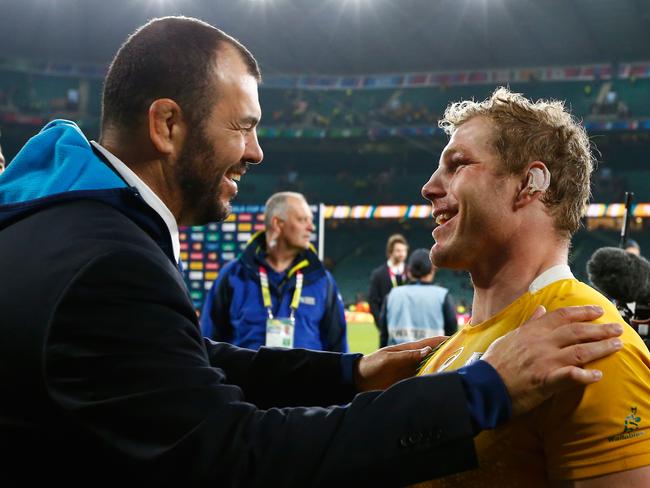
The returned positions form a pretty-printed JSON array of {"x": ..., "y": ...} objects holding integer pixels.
[{"x": 423, "y": 106}]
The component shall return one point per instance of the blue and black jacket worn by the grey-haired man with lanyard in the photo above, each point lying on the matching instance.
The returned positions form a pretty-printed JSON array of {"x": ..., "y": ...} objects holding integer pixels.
[{"x": 234, "y": 309}]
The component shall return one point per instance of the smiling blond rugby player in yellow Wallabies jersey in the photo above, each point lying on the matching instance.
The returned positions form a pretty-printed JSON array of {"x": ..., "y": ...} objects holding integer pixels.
[{"x": 509, "y": 191}]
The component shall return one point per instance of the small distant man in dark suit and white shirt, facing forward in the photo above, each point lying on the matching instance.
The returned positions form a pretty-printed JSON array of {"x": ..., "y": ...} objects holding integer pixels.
[{"x": 389, "y": 275}]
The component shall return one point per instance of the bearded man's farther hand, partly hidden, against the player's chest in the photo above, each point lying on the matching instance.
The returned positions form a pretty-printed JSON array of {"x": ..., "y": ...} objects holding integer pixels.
[{"x": 383, "y": 368}]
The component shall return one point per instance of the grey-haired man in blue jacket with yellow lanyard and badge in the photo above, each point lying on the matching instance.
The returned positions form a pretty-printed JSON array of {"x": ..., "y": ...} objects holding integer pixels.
[{"x": 278, "y": 279}]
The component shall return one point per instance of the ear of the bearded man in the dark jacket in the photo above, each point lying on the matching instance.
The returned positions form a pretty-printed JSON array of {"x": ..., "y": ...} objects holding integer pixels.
[{"x": 167, "y": 129}]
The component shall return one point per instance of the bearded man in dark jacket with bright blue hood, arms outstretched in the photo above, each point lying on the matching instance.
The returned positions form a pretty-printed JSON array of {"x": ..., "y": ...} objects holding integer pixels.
[{"x": 105, "y": 376}]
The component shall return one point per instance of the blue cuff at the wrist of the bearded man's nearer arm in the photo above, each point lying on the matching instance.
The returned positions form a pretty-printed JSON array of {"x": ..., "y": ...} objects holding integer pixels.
[{"x": 487, "y": 397}]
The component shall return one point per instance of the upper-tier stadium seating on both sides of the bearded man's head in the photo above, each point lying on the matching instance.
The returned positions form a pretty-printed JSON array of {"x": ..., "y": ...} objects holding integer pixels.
[{"x": 40, "y": 92}]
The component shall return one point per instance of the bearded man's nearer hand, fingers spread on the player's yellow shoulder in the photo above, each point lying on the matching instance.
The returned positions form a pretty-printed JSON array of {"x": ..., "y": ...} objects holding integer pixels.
[{"x": 546, "y": 354}]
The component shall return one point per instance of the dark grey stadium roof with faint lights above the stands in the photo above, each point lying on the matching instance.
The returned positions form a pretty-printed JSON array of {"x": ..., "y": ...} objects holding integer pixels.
[{"x": 349, "y": 36}]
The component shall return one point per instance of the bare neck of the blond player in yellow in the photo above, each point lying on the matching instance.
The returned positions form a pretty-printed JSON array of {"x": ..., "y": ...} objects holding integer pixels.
[{"x": 500, "y": 281}]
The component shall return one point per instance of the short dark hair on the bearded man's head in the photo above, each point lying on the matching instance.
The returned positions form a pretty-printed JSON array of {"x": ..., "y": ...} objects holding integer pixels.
[{"x": 168, "y": 57}]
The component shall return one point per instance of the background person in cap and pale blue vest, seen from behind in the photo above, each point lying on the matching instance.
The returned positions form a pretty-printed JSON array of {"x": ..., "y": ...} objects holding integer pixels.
[{"x": 417, "y": 309}]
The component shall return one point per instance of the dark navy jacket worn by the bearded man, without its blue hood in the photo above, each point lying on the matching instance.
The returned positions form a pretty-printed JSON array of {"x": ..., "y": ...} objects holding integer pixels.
[{"x": 106, "y": 378}]
